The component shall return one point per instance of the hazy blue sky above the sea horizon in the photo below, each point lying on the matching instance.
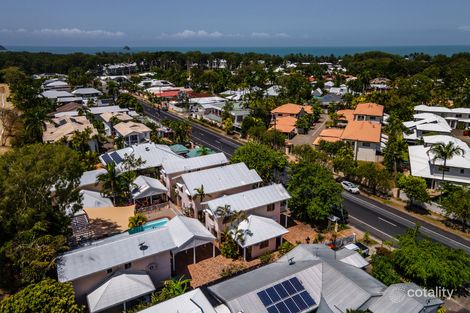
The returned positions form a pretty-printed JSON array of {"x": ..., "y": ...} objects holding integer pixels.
[{"x": 234, "y": 23}]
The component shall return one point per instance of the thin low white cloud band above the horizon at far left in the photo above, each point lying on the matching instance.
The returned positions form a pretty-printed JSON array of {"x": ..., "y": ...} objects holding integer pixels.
[{"x": 66, "y": 32}]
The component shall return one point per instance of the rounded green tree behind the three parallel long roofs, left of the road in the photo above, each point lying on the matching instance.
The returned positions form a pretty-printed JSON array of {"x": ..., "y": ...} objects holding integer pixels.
[{"x": 267, "y": 162}]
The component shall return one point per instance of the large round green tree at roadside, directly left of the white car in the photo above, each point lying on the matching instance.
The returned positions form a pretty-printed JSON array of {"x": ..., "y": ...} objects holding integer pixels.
[{"x": 314, "y": 192}]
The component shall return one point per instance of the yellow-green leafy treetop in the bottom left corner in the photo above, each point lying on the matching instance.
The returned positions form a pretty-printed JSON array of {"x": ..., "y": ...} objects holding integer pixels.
[{"x": 45, "y": 296}]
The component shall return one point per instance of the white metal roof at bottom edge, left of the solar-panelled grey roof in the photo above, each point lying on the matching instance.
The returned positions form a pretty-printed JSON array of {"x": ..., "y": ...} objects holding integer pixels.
[{"x": 193, "y": 301}]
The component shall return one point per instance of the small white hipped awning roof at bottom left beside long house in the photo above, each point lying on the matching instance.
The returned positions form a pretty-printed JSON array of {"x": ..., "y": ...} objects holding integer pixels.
[{"x": 118, "y": 289}]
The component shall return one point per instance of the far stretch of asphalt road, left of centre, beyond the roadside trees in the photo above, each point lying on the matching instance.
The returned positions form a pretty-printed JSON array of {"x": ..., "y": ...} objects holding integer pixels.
[{"x": 199, "y": 134}]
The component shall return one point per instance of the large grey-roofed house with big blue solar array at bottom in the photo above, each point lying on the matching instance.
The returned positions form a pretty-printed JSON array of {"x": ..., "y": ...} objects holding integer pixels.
[{"x": 311, "y": 278}]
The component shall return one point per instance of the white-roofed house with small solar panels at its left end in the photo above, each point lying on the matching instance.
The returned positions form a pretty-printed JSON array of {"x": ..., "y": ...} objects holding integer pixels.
[{"x": 152, "y": 155}]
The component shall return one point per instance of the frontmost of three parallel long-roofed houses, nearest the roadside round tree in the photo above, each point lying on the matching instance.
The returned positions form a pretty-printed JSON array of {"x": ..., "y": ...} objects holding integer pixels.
[{"x": 268, "y": 201}]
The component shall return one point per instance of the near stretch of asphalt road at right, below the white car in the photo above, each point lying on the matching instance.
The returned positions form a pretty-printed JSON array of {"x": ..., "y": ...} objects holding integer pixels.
[{"x": 386, "y": 223}]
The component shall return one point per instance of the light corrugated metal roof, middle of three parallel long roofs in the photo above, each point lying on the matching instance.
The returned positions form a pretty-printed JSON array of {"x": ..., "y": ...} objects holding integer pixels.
[{"x": 221, "y": 178}]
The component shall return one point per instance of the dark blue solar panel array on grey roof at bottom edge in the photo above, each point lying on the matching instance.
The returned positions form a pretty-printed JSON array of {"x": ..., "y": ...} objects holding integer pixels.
[{"x": 288, "y": 296}]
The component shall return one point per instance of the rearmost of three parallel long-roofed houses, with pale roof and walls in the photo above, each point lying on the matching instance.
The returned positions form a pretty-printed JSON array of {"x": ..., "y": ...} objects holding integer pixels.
[{"x": 172, "y": 169}]
